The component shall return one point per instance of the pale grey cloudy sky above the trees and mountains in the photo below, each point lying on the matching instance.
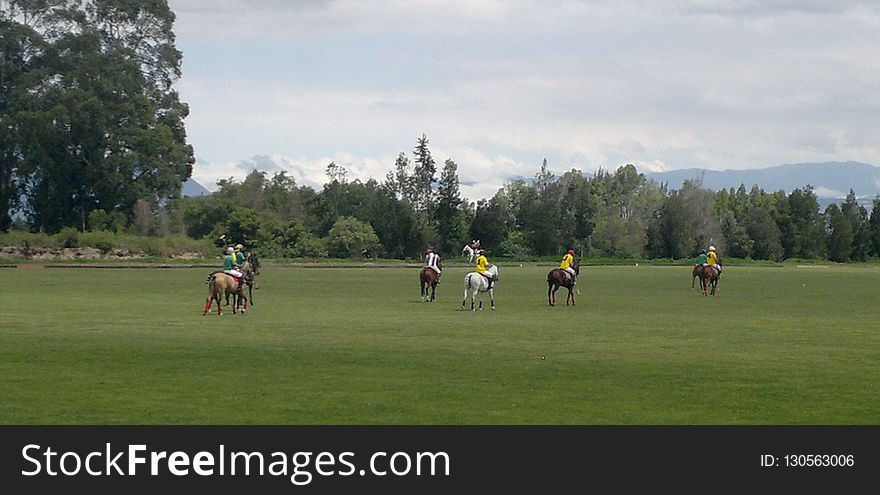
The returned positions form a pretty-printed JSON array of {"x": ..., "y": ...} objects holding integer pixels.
[{"x": 499, "y": 85}]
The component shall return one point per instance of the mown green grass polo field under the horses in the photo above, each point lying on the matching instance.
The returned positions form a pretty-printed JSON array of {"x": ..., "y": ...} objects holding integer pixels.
[{"x": 357, "y": 346}]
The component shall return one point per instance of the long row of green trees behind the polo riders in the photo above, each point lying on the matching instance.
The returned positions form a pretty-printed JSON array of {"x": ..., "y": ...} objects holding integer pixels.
[{"x": 619, "y": 214}]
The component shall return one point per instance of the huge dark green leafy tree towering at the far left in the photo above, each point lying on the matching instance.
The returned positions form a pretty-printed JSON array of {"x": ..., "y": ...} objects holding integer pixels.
[{"x": 93, "y": 119}]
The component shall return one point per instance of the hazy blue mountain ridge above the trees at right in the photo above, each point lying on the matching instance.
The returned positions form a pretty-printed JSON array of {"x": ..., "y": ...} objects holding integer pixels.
[{"x": 830, "y": 180}]
